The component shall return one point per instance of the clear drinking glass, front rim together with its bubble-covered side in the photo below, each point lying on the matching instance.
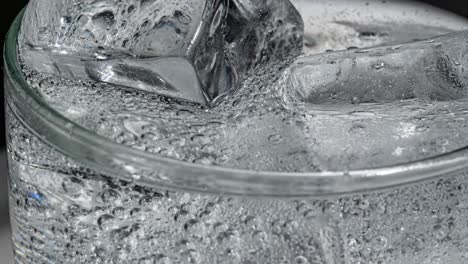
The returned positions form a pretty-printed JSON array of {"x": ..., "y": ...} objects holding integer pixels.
[{"x": 76, "y": 197}]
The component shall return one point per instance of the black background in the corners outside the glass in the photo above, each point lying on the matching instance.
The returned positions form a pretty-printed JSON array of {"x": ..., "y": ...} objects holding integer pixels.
[{"x": 14, "y": 6}]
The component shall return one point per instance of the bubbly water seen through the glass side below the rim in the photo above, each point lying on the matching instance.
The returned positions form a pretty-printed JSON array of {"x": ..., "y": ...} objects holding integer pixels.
[{"x": 64, "y": 212}]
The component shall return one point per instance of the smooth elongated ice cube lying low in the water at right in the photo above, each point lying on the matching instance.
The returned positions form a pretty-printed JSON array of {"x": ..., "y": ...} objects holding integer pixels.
[{"x": 431, "y": 69}]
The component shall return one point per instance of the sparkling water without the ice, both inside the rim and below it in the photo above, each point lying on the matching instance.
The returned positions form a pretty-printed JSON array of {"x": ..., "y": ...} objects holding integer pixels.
[{"x": 64, "y": 212}]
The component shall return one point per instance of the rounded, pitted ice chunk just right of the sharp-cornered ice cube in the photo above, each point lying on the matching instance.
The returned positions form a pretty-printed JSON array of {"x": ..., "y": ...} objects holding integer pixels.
[{"x": 262, "y": 31}]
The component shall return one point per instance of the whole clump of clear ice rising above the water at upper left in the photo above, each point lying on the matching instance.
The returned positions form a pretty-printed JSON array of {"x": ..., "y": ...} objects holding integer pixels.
[{"x": 188, "y": 49}]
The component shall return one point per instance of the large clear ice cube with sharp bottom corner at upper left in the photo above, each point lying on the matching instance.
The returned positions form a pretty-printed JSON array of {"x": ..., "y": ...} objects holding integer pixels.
[{"x": 172, "y": 47}]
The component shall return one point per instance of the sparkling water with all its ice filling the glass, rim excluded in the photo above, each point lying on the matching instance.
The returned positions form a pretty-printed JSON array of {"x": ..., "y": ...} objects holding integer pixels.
[{"x": 336, "y": 111}]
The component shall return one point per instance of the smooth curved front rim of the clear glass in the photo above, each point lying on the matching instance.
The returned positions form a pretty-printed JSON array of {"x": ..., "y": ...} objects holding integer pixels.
[{"x": 90, "y": 148}]
